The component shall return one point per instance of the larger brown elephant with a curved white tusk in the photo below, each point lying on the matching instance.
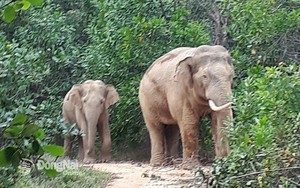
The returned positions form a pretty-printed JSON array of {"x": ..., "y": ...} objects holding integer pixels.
[{"x": 181, "y": 87}]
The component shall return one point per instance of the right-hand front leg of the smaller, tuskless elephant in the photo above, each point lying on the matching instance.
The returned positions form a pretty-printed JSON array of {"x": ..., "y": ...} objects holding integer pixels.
[{"x": 104, "y": 132}]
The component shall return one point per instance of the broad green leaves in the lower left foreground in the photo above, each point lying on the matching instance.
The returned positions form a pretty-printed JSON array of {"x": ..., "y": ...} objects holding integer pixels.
[{"x": 24, "y": 144}]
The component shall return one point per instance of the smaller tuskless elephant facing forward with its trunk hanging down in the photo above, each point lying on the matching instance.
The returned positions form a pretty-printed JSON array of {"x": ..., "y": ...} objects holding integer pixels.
[{"x": 87, "y": 105}]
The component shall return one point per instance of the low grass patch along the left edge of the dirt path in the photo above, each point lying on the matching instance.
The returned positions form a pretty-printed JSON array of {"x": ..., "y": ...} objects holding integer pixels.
[{"x": 68, "y": 178}]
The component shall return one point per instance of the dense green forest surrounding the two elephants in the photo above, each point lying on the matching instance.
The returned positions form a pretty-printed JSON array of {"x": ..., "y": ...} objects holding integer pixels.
[{"x": 46, "y": 49}]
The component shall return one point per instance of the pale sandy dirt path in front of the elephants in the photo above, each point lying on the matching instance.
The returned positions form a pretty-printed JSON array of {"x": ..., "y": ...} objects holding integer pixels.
[{"x": 140, "y": 175}]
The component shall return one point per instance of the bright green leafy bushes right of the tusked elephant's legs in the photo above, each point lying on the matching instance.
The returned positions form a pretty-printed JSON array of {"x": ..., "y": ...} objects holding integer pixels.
[{"x": 265, "y": 138}]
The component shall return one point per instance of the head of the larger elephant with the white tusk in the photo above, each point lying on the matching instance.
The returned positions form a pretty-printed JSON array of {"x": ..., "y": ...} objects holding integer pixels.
[{"x": 208, "y": 71}]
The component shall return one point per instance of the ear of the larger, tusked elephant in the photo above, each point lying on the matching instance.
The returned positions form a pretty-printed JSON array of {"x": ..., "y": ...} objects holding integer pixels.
[{"x": 183, "y": 70}]
